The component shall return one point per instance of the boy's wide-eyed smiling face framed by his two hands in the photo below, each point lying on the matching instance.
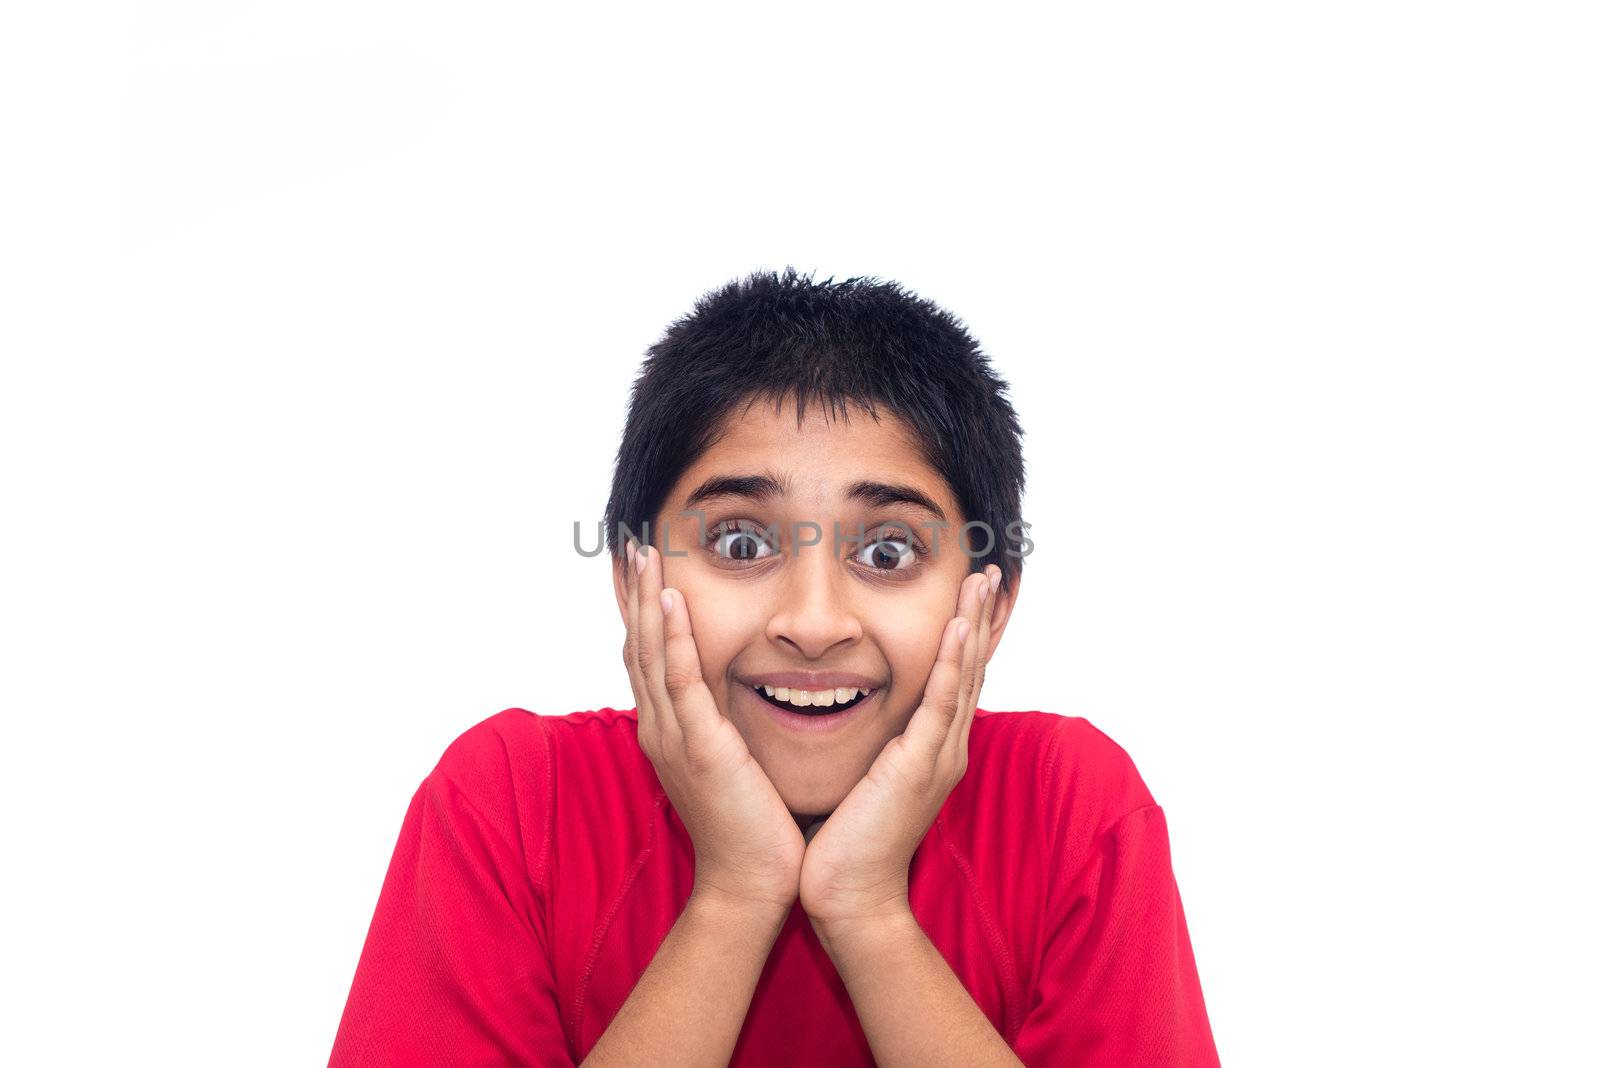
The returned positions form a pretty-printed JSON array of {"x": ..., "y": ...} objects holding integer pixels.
[{"x": 769, "y": 607}]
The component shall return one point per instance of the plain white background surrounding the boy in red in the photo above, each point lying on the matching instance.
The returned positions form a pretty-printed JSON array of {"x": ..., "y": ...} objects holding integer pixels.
[{"x": 319, "y": 329}]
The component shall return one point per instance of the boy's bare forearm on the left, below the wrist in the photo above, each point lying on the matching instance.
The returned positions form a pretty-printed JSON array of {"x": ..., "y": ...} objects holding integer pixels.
[{"x": 690, "y": 1005}]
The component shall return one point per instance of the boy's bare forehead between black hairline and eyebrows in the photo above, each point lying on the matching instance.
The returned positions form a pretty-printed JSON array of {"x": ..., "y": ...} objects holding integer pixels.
[{"x": 820, "y": 456}]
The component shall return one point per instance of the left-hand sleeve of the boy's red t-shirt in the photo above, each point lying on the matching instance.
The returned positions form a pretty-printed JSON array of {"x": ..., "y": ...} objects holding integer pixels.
[{"x": 455, "y": 970}]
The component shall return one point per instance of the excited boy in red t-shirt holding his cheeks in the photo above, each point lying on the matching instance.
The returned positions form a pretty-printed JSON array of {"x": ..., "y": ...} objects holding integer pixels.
[{"x": 806, "y": 845}]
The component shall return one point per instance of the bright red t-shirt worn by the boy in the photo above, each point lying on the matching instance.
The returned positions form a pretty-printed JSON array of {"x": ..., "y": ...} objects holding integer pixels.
[{"x": 542, "y": 866}]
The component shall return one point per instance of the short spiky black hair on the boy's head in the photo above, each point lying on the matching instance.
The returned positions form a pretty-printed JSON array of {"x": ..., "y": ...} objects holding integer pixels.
[{"x": 863, "y": 341}]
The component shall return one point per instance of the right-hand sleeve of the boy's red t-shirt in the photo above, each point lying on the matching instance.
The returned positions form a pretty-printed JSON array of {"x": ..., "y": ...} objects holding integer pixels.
[{"x": 1118, "y": 981}]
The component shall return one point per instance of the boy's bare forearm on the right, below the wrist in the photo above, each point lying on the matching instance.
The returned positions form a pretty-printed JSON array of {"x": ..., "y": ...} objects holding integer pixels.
[{"x": 911, "y": 1005}]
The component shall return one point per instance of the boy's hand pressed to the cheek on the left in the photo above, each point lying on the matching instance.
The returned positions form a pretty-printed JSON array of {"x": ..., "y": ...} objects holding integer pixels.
[{"x": 748, "y": 847}]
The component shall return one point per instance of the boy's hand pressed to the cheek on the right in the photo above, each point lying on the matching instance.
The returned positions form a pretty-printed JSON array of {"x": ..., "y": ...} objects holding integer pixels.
[{"x": 857, "y": 867}]
